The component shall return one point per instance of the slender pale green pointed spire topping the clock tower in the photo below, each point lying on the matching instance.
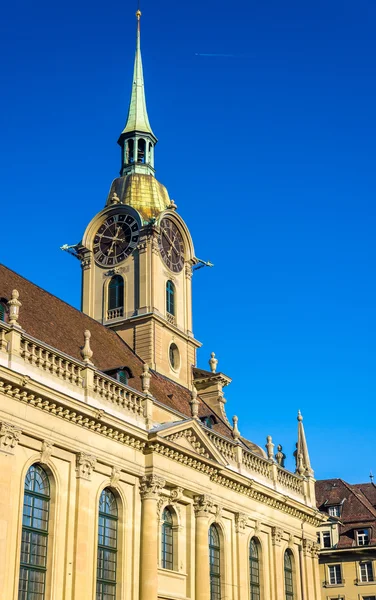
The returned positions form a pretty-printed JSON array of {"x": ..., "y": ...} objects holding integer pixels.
[{"x": 138, "y": 119}]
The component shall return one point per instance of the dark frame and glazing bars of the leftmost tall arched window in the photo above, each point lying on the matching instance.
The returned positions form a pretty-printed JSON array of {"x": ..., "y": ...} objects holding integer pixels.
[{"x": 29, "y": 567}]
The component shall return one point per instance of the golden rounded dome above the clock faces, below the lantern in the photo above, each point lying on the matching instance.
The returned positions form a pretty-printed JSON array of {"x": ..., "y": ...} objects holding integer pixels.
[{"x": 143, "y": 192}]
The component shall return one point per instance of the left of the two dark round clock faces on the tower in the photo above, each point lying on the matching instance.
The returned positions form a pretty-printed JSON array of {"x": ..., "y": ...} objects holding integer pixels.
[{"x": 115, "y": 239}]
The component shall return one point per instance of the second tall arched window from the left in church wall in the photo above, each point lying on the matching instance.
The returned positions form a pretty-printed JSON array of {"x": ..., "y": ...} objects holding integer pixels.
[{"x": 107, "y": 546}]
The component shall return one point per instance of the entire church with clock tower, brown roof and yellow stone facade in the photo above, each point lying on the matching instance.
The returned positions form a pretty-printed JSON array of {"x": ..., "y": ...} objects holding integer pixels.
[{"x": 121, "y": 475}]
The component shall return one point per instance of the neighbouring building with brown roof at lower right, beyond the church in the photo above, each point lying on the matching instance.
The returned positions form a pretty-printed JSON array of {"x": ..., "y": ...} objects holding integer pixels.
[{"x": 347, "y": 540}]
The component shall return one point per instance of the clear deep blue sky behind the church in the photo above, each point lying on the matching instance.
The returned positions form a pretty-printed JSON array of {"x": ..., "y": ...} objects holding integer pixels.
[{"x": 269, "y": 154}]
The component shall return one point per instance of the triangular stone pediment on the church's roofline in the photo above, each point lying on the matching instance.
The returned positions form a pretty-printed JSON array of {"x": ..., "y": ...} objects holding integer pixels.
[{"x": 190, "y": 436}]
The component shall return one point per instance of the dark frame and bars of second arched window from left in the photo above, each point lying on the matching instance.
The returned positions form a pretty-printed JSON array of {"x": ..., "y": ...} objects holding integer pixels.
[{"x": 100, "y": 581}]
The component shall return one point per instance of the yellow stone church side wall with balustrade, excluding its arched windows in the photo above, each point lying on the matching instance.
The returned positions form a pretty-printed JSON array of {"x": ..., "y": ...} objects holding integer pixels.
[{"x": 86, "y": 442}]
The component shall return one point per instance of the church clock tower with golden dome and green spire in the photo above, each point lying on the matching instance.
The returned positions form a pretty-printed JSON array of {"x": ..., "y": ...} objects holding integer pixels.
[{"x": 137, "y": 254}]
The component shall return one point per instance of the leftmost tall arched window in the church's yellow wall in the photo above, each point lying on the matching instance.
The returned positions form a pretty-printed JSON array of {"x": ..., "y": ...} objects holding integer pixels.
[{"x": 32, "y": 582}]
